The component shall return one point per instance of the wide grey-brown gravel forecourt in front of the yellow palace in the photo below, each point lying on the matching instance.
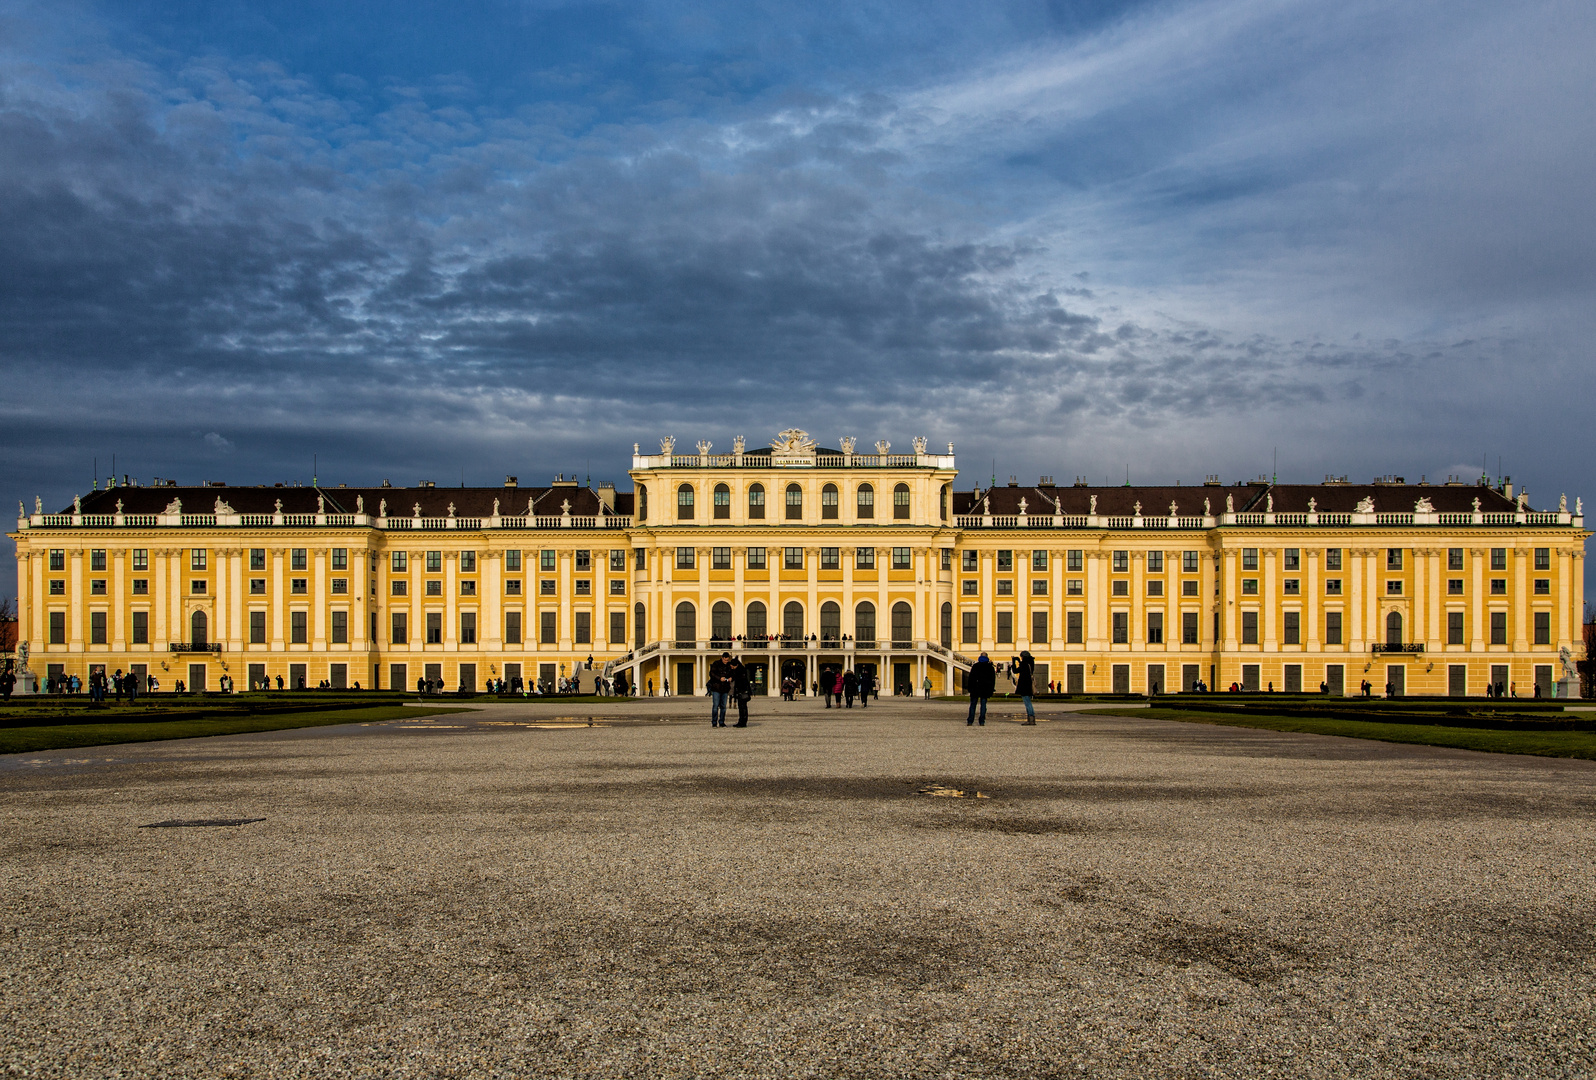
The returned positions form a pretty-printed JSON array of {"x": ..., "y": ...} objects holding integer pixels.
[{"x": 512, "y": 894}]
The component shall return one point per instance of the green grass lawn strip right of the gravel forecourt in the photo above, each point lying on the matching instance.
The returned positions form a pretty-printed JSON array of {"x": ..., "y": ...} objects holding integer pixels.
[{"x": 1544, "y": 744}]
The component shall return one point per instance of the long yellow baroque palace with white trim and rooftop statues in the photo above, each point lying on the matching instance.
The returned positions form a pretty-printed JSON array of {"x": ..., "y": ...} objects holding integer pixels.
[{"x": 802, "y": 561}]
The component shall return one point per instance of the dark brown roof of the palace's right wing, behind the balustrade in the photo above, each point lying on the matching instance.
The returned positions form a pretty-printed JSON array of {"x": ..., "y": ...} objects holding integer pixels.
[{"x": 1289, "y": 499}]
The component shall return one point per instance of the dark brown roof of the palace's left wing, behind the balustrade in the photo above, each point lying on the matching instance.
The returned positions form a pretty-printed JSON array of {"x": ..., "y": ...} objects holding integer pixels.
[{"x": 401, "y": 502}]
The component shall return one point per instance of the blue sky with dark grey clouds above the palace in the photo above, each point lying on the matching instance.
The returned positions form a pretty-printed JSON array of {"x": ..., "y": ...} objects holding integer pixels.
[{"x": 513, "y": 237}]
